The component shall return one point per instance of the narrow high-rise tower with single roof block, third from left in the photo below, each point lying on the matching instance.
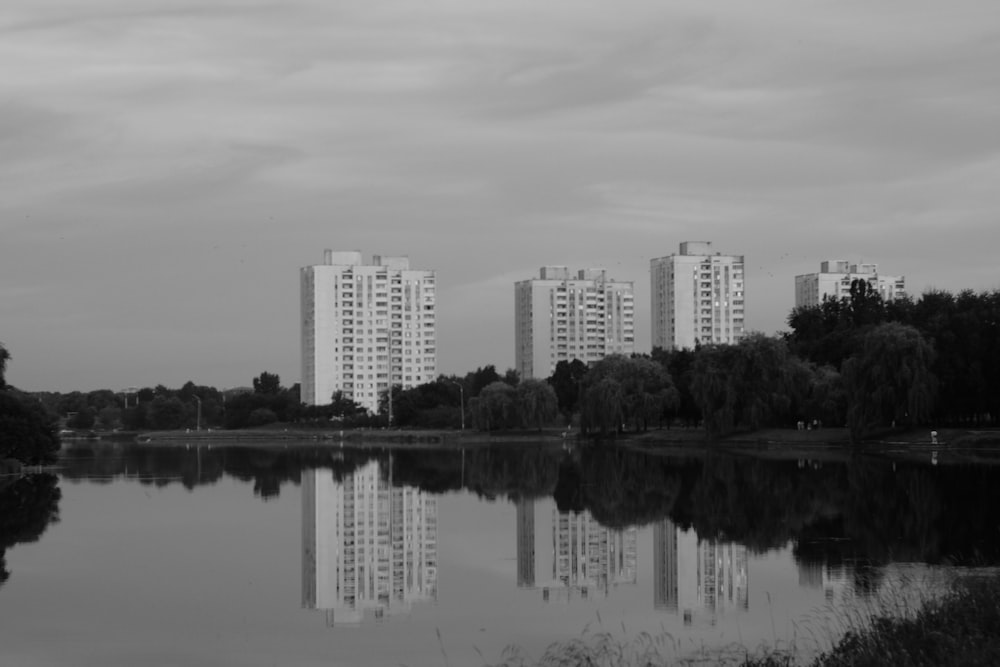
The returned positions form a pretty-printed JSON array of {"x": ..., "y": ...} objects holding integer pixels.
[{"x": 697, "y": 297}]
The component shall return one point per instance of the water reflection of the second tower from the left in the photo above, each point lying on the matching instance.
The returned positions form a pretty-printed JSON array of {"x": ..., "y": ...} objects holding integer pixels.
[{"x": 575, "y": 555}]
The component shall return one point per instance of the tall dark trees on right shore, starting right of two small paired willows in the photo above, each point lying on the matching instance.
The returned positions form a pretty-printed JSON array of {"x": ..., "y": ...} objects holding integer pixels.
[{"x": 857, "y": 361}]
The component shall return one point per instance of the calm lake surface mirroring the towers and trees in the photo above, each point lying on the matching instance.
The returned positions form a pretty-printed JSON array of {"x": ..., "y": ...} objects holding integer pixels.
[{"x": 325, "y": 555}]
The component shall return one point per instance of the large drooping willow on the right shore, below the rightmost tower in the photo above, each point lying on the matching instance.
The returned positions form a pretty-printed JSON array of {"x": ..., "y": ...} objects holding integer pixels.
[{"x": 889, "y": 380}]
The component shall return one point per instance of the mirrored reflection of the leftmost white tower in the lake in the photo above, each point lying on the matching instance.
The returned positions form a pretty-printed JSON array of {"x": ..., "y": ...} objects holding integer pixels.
[{"x": 368, "y": 548}]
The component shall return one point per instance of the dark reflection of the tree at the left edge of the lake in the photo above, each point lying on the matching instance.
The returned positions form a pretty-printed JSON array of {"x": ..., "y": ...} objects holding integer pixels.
[{"x": 28, "y": 505}]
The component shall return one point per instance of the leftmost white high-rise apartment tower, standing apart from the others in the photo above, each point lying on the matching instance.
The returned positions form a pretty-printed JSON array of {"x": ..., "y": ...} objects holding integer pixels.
[{"x": 364, "y": 326}]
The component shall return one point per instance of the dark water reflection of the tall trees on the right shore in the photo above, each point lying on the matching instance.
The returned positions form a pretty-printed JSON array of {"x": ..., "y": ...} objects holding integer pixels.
[{"x": 861, "y": 513}]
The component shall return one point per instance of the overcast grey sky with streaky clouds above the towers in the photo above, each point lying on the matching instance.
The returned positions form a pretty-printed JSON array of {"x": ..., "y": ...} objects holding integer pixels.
[{"x": 167, "y": 166}]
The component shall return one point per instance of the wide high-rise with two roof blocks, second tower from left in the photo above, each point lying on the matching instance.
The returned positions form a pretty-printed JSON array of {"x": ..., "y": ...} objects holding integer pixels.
[{"x": 561, "y": 318}]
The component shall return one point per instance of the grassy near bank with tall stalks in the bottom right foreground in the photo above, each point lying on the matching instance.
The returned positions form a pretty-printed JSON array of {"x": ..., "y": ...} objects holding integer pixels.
[{"x": 959, "y": 628}]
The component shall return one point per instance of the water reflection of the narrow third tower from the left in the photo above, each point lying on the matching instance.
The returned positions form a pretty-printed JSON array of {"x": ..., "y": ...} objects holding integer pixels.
[{"x": 691, "y": 574}]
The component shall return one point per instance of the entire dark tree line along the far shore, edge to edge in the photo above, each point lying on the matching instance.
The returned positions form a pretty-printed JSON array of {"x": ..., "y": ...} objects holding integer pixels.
[{"x": 879, "y": 370}]
